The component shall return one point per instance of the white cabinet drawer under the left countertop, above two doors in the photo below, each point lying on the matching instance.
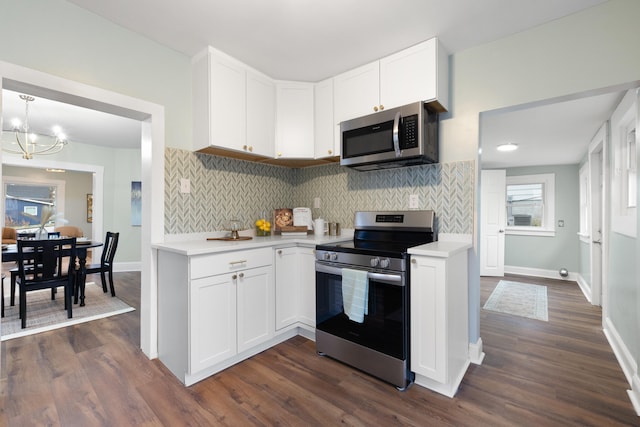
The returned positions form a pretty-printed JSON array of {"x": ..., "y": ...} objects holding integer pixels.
[{"x": 212, "y": 264}]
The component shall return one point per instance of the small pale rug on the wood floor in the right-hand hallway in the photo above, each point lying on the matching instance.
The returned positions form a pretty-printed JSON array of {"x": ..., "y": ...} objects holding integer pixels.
[{"x": 520, "y": 299}]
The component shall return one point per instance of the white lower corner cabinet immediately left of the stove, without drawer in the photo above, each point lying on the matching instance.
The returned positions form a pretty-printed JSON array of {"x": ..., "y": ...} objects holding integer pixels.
[{"x": 295, "y": 286}]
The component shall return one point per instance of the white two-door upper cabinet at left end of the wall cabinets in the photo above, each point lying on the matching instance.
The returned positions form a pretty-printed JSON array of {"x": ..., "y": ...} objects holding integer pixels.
[{"x": 233, "y": 105}]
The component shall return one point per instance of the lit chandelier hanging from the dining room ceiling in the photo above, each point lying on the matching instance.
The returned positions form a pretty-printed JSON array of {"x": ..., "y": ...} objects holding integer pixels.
[{"x": 28, "y": 143}]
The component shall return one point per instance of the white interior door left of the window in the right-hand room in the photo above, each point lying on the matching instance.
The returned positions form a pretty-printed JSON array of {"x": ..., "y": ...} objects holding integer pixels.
[{"x": 493, "y": 195}]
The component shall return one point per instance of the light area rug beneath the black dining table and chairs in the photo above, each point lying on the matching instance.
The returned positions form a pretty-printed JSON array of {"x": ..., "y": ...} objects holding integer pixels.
[{"x": 44, "y": 314}]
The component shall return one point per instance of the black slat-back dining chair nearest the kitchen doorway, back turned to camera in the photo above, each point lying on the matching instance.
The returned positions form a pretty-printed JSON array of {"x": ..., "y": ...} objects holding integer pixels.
[{"x": 46, "y": 272}]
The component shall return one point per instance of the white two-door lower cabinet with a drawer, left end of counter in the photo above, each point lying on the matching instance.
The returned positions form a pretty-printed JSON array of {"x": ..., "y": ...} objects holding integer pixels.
[{"x": 213, "y": 310}]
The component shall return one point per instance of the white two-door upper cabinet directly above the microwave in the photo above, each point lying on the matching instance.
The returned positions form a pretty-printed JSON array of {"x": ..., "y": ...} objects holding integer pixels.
[{"x": 419, "y": 73}]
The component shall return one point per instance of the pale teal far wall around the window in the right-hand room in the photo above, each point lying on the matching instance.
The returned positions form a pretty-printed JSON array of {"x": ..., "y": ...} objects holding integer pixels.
[{"x": 562, "y": 250}]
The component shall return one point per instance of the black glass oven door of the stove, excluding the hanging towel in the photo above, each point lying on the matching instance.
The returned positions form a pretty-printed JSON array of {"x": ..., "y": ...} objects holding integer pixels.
[{"x": 385, "y": 327}]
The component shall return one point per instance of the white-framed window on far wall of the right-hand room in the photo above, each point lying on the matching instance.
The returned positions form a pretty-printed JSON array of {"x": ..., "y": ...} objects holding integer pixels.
[{"x": 530, "y": 204}]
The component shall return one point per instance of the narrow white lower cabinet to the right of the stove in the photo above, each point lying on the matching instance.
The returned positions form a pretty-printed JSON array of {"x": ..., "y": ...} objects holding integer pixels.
[{"x": 439, "y": 321}]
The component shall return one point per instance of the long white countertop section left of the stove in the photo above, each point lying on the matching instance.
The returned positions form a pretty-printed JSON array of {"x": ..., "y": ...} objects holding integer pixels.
[{"x": 201, "y": 246}]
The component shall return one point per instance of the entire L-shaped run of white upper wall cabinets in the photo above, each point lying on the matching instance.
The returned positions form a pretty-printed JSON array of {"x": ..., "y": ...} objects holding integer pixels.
[{"x": 240, "y": 112}]
